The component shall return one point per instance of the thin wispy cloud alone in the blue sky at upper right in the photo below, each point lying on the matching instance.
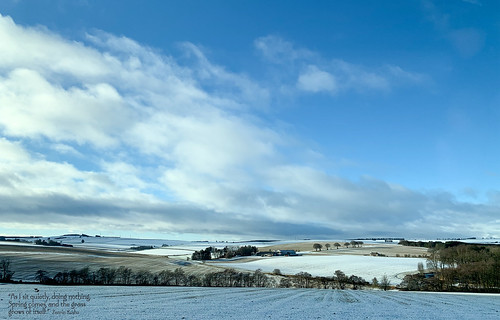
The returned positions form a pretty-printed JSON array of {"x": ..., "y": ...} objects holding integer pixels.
[{"x": 314, "y": 73}]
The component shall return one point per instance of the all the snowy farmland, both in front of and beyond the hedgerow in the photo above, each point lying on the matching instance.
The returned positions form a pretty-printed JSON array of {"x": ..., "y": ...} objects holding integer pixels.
[{"x": 167, "y": 302}]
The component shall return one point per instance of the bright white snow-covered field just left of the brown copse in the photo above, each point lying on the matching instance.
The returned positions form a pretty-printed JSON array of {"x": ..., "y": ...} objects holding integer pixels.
[{"x": 367, "y": 267}]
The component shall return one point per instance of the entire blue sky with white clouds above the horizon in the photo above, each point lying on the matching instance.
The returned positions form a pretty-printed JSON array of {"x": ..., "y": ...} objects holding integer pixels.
[{"x": 250, "y": 119}]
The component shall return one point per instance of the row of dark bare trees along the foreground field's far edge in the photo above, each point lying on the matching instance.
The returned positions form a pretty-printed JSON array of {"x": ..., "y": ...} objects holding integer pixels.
[{"x": 178, "y": 277}]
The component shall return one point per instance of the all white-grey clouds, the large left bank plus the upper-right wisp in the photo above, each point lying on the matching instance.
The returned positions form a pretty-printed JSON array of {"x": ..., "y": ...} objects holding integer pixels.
[{"x": 107, "y": 134}]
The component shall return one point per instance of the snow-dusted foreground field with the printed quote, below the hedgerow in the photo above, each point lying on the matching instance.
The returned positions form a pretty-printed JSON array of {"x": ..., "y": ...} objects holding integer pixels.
[{"x": 244, "y": 303}]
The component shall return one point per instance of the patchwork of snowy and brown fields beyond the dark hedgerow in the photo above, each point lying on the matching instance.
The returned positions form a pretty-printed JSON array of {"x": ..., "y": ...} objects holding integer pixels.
[{"x": 113, "y": 252}]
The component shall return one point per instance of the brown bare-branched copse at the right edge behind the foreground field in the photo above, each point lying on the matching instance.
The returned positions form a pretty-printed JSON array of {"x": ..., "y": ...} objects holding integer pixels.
[{"x": 457, "y": 266}]
